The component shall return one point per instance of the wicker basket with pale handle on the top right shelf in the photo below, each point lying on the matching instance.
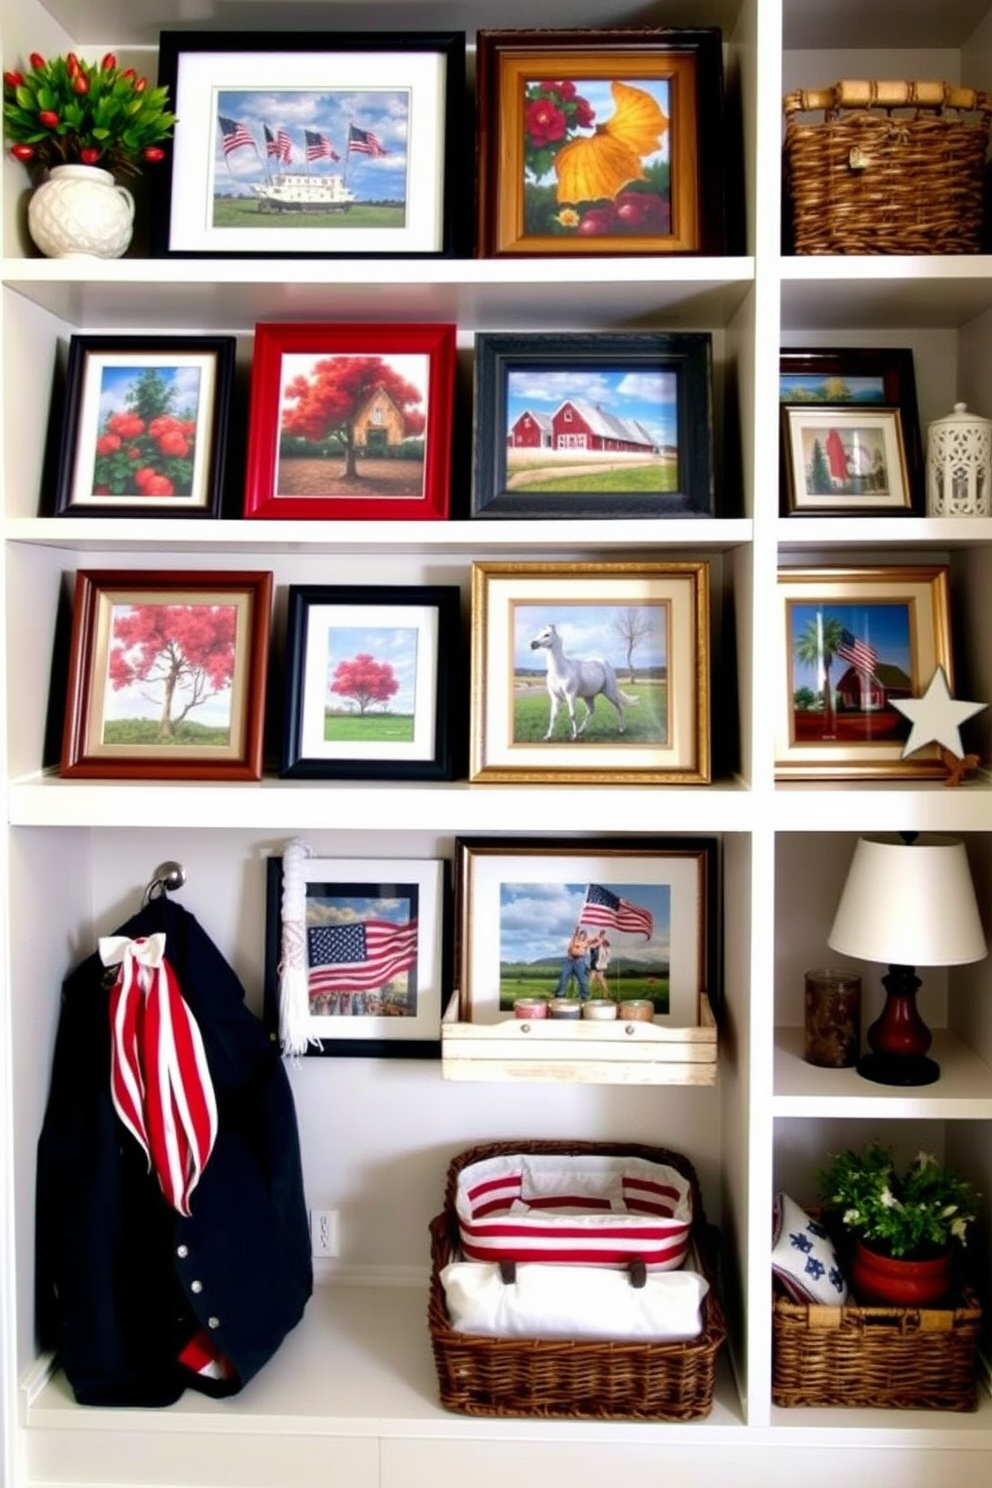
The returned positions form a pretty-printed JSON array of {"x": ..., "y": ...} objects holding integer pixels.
[{"x": 893, "y": 167}]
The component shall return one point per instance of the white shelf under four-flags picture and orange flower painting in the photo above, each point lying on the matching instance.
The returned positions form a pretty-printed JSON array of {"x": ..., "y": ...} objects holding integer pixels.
[{"x": 169, "y": 295}]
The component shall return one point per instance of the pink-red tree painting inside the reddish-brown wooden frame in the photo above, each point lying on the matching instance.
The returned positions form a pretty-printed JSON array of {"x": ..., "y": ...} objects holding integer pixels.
[{"x": 169, "y": 661}]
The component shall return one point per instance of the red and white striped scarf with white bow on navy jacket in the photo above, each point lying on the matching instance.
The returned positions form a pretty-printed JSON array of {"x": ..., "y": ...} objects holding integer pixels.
[{"x": 160, "y": 1080}]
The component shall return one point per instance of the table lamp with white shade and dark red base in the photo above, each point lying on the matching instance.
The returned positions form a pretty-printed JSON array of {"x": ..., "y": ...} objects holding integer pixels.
[{"x": 906, "y": 902}]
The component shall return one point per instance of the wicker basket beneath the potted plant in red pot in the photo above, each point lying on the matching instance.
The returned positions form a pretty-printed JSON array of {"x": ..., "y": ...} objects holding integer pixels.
[{"x": 908, "y": 1359}]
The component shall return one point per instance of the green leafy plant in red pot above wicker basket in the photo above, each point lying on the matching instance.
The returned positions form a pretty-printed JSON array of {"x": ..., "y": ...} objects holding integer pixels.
[{"x": 906, "y": 1227}]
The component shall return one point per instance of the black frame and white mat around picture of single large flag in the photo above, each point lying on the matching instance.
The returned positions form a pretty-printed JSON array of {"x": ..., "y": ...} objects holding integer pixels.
[{"x": 387, "y": 1042}]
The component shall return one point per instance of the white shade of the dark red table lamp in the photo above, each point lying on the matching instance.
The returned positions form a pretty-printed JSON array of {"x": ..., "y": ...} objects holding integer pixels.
[{"x": 909, "y": 904}]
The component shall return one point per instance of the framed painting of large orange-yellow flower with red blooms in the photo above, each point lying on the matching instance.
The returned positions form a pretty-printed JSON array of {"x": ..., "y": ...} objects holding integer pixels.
[{"x": 602, "y": 142}]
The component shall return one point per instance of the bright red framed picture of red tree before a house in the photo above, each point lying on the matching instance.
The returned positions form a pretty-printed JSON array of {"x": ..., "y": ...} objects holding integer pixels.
[{"x": 352, "y": 423}]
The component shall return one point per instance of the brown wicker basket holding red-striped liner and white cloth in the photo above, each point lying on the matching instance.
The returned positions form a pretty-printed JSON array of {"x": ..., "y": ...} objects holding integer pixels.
[{"x": 573, "y": 1379}]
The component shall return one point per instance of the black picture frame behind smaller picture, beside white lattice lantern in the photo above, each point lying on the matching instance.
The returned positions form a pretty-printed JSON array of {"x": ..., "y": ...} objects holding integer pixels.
[{"x": 822, "y": 374}]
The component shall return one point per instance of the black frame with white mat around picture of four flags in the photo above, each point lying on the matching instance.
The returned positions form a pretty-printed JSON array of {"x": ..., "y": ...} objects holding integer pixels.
[{"x": 199, "y": 68}]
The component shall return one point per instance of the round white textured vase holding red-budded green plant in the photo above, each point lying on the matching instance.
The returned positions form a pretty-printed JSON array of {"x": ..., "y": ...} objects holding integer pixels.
[{"x": 81, "y": 212}]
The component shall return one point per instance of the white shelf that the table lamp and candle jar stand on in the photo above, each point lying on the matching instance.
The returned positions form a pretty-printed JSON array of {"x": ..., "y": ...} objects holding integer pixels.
[{"x": 964, "y": 1090}]
